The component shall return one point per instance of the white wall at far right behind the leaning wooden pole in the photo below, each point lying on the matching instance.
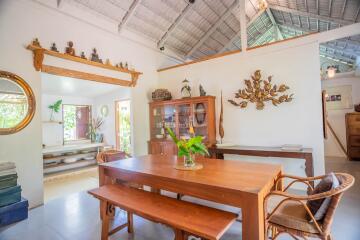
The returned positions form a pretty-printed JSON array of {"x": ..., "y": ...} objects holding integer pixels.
[{"x": 337, "y": 117}]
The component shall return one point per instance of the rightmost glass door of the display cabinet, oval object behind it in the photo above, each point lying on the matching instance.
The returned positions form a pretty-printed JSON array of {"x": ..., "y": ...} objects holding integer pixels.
[{"x": 200, "y": 119}]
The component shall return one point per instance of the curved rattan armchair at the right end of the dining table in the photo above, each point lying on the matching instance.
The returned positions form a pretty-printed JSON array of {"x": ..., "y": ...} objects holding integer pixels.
[{"x": 287, "y": 213}]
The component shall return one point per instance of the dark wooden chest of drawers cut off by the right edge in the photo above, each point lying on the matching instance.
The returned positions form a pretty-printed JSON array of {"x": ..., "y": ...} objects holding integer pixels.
[{"x": 353, "y": 135}]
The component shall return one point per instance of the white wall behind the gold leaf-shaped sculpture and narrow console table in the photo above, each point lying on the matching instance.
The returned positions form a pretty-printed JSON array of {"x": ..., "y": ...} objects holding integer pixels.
[{"x": 298, "y": 122}]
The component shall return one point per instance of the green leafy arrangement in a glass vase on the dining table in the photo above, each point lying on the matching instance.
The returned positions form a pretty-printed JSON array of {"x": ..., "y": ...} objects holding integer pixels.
[{"x": 188, "y": 148}]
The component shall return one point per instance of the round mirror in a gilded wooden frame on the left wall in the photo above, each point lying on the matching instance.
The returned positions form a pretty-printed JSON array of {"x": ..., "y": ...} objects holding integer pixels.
[{"x": 17, "y": 103}]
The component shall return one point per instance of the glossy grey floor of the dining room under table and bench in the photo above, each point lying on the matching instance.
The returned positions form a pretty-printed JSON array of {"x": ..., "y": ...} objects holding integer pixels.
[{"x": 76, "y": 217}]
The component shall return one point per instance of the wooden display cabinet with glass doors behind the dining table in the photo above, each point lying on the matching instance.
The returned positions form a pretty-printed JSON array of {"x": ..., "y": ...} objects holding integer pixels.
[{"x": 178, "y": 115}]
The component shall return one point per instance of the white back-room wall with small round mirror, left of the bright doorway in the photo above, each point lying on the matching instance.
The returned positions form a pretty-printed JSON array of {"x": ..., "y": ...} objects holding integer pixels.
[{"x": 108, "y": 128}]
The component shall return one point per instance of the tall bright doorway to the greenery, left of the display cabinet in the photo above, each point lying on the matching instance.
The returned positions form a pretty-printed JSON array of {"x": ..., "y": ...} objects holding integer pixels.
[{"x": 123, "y": 126}]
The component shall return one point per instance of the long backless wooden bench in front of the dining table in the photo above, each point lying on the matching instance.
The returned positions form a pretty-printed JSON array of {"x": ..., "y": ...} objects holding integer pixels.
[{"x": 184, "y": 217}]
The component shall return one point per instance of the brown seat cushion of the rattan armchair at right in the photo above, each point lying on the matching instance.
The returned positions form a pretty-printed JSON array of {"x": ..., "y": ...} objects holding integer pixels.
[{"x": 290, "y": 214}]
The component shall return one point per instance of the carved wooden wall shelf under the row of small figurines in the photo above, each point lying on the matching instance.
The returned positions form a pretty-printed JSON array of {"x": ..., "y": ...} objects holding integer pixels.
[{"x": 39, "y": 53}]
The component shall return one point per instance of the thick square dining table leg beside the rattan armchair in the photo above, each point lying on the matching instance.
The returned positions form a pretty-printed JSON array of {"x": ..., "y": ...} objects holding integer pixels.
[{"x": 253, "y": 227}]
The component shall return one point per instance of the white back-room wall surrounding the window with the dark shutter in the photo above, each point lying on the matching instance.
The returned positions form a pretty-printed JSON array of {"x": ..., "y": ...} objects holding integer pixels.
[{"x": 52, "y": 134}]
